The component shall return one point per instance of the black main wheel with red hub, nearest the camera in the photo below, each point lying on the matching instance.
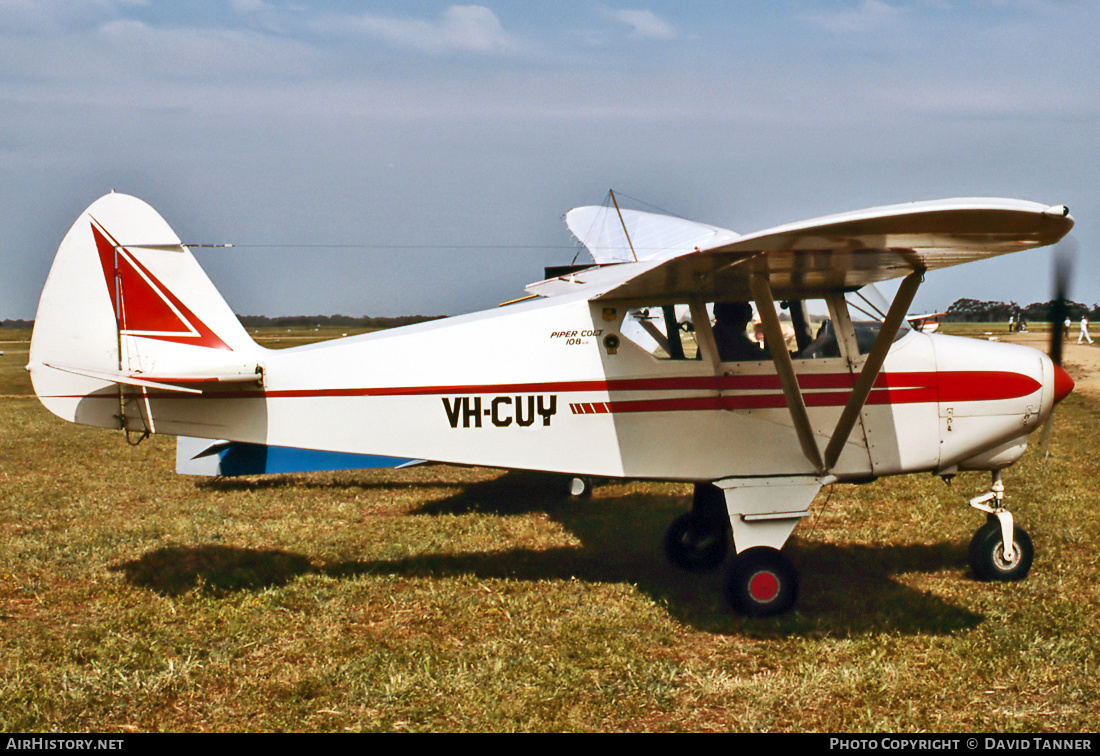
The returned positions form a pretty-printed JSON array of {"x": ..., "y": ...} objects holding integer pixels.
[{"x": 762, "y": 584}]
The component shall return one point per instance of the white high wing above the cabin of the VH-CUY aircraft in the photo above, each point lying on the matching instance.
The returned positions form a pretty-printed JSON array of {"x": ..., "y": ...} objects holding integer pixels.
[{"x": 812, "y": 258}]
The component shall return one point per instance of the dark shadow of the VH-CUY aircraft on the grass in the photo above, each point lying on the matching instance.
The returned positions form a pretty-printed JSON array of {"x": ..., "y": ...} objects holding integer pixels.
[{"x": 846, "y": 588}]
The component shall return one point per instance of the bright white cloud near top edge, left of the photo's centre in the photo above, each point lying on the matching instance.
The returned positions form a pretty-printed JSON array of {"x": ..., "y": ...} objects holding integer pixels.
[{"x": 471, "y": 29}]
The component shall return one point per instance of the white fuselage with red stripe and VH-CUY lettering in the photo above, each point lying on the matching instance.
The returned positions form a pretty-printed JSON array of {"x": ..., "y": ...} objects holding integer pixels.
[{"x": 553, "y": 386}]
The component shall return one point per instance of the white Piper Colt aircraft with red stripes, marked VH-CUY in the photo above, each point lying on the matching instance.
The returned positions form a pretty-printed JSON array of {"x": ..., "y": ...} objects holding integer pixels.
[{"x": 131, "y": 335}]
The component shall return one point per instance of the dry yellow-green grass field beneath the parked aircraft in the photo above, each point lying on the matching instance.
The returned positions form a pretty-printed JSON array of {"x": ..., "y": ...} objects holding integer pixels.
[{"x": 447, "y": 599}]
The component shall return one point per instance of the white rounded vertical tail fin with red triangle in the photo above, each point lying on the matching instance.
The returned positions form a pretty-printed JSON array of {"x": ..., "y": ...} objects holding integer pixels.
[{"x": 127, "y": 304}]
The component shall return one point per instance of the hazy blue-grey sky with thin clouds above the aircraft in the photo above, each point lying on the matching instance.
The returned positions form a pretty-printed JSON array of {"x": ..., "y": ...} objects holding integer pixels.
[{"x": 436, "y": 146}]
